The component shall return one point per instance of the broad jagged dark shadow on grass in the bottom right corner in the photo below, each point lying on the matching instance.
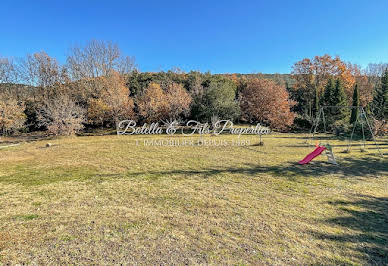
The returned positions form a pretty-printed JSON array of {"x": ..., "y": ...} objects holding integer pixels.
[{"x": 366, "y": 220}]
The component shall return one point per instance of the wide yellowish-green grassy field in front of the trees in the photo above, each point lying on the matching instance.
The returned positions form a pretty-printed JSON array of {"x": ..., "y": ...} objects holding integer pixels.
[{"x": 106, "y": 200}]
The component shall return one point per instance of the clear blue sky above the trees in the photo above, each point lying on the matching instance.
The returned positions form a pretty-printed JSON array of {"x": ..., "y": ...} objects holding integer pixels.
[{"x": 219, "y": 36}]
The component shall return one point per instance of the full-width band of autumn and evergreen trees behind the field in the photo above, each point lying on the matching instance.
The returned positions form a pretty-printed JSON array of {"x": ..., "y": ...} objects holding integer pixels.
[{"x": 98, "y": 86}]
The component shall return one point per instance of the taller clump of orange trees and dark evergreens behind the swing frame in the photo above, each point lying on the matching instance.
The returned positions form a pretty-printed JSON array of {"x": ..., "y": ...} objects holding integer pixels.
[{"x": 329, "y": 81}]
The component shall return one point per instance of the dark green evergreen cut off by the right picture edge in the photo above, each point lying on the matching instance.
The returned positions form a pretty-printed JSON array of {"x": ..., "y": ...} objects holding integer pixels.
[{"x": 380, "y": 100}]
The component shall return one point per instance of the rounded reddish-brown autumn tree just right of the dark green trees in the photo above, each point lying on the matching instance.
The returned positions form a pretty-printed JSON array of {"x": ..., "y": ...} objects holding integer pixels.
[{"x": 264, "y": 100}]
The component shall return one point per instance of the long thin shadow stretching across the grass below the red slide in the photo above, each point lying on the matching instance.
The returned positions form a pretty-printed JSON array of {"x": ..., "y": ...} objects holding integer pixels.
[{"x": 351, "y": 168}]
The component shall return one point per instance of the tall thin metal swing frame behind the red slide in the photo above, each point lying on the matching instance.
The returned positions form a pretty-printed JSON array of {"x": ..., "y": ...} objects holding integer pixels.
[{"x": 361, "y": 119}]
